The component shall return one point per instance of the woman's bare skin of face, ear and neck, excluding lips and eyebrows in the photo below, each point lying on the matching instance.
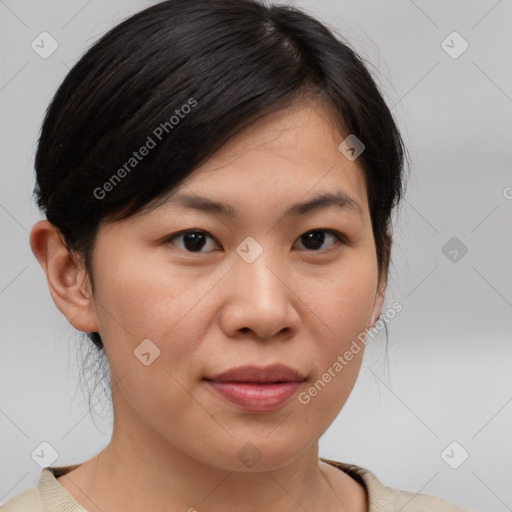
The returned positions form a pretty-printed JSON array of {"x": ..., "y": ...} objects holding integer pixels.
[{"x": 175, "y": 441}]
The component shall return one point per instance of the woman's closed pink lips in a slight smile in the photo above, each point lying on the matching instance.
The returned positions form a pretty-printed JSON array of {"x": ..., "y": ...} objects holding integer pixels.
[{"x": 258, "y": 389}]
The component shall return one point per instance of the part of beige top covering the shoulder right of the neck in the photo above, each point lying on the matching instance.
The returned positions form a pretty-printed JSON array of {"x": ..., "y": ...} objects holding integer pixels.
[{"x": 389, "y": 499}]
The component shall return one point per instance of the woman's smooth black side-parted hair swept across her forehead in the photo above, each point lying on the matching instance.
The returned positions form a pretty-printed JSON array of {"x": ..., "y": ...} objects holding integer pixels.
[{"x": 238, "y": 60}]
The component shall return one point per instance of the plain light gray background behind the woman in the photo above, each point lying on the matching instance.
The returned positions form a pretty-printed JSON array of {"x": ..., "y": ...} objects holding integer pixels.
[{"x": 448, "y": 373}]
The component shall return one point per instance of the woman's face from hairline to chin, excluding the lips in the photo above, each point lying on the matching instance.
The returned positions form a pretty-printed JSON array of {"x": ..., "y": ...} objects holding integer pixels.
[{"x": 252, "y": 288}]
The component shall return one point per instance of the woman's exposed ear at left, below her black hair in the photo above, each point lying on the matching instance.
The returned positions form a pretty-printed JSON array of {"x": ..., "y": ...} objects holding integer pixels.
[{"x": 67, "y": 279}]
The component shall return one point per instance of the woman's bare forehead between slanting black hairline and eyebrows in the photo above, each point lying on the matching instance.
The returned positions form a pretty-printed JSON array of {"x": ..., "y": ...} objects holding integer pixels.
[{"x": 292, "y": 152}]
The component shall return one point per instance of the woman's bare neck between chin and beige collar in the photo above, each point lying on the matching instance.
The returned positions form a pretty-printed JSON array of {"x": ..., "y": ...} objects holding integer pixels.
[{"x": 139, "y": 470}]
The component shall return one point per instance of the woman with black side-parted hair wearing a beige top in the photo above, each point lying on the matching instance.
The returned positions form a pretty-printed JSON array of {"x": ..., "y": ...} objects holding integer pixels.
[{"x": 218, "y": 179}]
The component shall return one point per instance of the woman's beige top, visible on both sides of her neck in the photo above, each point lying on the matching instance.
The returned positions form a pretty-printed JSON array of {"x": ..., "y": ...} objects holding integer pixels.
[{"x": 50, "y": 496}]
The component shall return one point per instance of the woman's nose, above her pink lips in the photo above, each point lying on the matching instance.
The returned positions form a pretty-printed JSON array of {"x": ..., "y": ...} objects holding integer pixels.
[{"x": 260, "y": 300}]
